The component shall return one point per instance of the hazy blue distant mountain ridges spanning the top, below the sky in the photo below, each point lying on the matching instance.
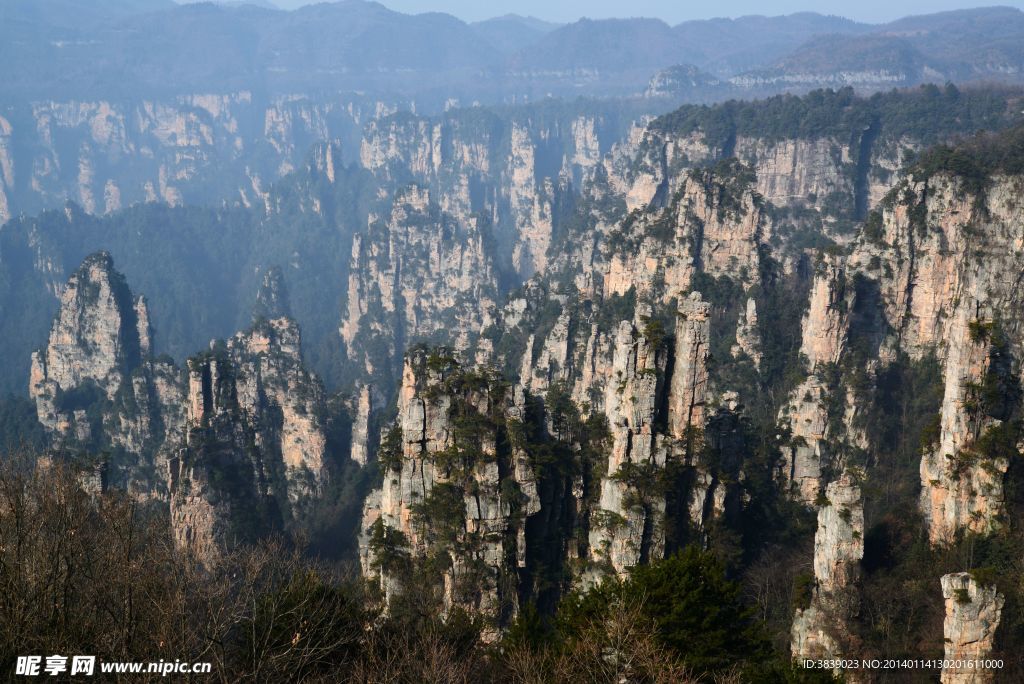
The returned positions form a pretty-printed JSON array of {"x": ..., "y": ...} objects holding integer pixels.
[{"x": 117, "y": 49}]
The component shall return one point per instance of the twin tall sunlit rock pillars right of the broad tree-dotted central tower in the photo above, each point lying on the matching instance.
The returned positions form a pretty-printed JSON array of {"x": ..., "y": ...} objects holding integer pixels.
[{"x": 655, "y": 418}]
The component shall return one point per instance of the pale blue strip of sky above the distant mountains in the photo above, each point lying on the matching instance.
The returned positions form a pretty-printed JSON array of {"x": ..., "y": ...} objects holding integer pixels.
[{"x": 670, "y": 11}]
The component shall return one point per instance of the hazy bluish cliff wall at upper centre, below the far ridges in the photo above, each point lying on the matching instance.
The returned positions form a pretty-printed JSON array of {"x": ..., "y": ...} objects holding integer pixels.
[{"x": 516, "y": 170}]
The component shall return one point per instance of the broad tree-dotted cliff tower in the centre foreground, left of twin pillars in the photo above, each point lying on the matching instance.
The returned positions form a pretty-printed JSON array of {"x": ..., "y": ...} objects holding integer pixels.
[{"x": 453, "y": 492}]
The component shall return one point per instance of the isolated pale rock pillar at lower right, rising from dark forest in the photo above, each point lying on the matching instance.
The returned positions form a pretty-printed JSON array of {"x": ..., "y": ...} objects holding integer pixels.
[{"x": 821, "y": 630}]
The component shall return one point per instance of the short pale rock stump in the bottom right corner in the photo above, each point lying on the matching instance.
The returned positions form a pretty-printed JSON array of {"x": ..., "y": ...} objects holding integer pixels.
[{"x": 973, "y": 613}]
